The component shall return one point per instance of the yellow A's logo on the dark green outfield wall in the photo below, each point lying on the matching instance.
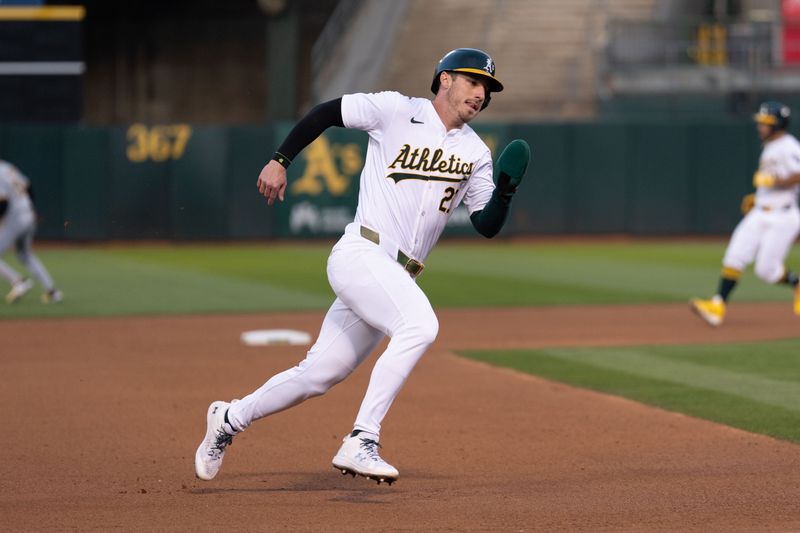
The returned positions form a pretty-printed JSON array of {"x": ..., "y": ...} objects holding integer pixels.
[{"x": 329, "y": 166}]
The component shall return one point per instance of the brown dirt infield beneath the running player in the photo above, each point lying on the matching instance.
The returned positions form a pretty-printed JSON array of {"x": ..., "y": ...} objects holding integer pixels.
[{"x": 102, "y": 417}]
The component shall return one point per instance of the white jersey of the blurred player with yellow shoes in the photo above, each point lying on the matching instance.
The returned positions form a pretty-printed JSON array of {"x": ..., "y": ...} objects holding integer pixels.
[{"x": 781, "y": 158}]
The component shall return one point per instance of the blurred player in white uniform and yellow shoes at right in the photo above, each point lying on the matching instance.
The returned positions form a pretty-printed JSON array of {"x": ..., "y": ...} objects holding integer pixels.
[{"x": 771, "y": 224}]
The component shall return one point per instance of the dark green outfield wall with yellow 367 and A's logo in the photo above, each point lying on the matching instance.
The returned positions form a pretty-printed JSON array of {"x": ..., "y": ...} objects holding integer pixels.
[{"x": 185, "y": 182}]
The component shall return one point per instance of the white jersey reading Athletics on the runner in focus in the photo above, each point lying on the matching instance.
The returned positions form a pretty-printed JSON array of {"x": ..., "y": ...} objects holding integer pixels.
[{"x": 416, "y": 172}]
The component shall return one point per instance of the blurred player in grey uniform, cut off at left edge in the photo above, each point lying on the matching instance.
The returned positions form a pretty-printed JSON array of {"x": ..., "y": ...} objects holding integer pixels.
[{"x": 17, "y": 227}]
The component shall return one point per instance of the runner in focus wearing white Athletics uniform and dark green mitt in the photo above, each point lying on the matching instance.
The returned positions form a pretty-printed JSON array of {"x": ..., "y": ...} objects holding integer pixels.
[{"x": 422, "y": 161}]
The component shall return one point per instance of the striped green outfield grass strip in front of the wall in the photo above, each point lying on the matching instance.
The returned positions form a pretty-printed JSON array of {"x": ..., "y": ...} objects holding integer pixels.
[{"x": 232, "y": 278}]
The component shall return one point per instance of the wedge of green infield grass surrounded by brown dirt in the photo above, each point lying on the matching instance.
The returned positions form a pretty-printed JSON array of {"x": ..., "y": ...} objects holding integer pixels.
[{"x": 752, "y": 386}]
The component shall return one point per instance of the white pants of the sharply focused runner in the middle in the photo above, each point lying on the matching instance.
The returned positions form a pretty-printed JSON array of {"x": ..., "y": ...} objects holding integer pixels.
[{"x": 375, "y": 297}]
